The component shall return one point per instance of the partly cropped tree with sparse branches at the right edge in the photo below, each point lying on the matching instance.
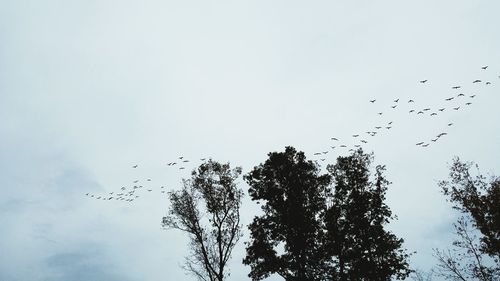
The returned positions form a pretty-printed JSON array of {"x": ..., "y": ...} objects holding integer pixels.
[{"x": 476, "y": 250}]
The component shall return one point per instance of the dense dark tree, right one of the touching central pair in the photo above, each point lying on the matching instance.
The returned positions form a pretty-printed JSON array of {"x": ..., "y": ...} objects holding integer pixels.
[{"x": 358, "y": 246}]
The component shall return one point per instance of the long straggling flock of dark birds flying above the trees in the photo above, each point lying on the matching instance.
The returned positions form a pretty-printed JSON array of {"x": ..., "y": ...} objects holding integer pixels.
[{"x": 456, "y": 102}]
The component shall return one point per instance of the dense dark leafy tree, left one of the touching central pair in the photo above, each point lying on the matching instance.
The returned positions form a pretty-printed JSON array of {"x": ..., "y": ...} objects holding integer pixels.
[{"x": 285, "y": 239}]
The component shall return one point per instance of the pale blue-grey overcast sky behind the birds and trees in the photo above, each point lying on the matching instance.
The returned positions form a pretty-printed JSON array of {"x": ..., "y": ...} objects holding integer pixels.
[{"x": 90, "y": 88}]
